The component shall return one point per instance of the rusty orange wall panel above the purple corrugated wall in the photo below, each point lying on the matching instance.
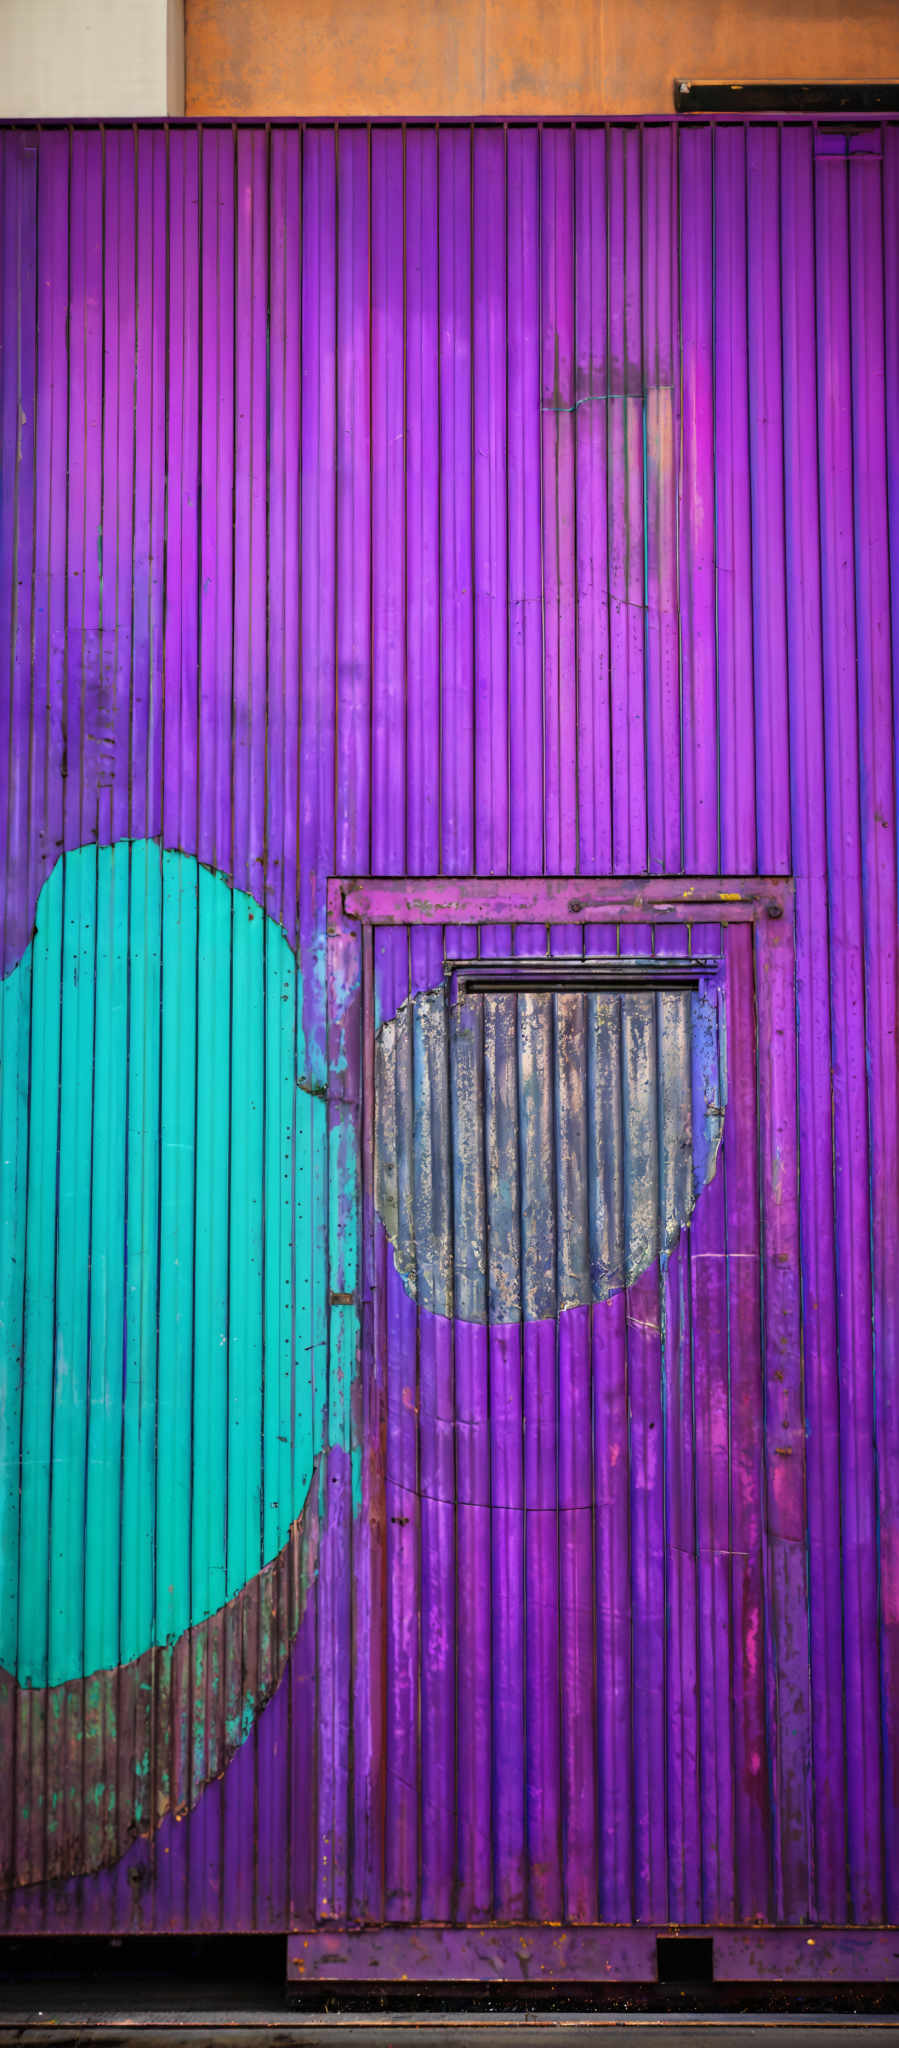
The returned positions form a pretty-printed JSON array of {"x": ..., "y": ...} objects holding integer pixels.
[{"x": 482, "y": 56}]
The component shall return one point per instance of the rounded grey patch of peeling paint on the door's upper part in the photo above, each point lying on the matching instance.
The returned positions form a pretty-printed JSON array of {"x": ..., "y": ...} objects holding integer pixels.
[{"x": 538, "y": 1152}]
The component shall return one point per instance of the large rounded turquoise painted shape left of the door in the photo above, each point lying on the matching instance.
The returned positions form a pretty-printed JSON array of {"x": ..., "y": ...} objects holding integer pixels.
[{"x": 157, "y": 1310}]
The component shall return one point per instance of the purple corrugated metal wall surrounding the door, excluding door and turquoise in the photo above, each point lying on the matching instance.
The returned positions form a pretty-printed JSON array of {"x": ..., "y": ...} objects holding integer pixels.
[{"x": 493, "y": 503}]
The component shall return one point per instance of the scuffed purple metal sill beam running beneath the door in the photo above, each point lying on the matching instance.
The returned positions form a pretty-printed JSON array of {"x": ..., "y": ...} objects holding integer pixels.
[{"x": 603, "y": 1955}]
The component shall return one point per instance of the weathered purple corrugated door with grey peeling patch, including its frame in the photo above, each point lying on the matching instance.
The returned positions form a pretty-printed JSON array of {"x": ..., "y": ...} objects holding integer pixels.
[{"x": 572, "y": 1629}]
